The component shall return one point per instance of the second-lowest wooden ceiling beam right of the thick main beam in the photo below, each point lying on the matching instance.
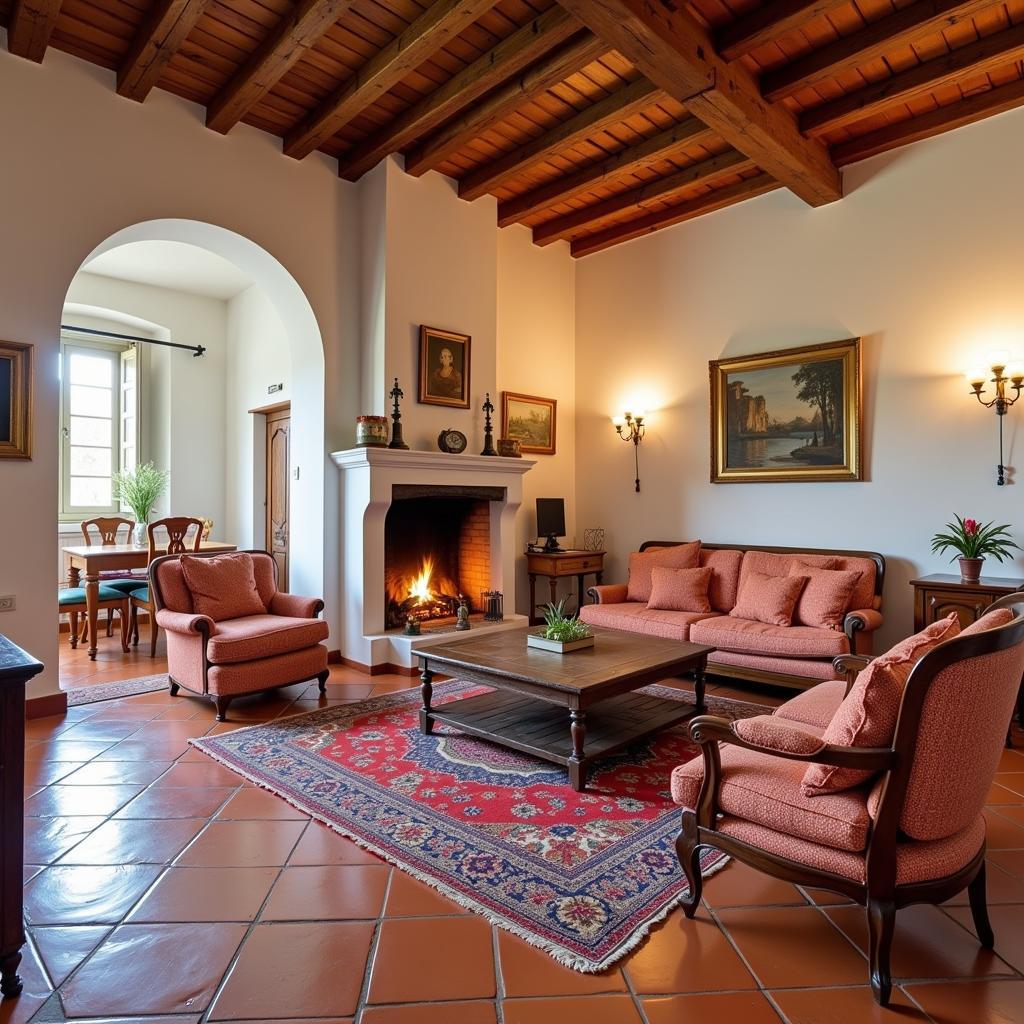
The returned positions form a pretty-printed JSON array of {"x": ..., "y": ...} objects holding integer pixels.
[{"x": 983, "y": 56}]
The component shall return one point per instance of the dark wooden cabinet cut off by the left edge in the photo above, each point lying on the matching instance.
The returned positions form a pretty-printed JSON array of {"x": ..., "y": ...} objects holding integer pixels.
[{"x": 17, "y": 668}]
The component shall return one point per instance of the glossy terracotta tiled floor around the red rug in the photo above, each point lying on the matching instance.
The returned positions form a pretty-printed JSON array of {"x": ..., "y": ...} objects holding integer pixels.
[{"x": 162, "y": 887}]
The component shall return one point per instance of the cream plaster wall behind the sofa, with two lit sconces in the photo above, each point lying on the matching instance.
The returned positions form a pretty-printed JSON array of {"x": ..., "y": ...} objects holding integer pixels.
[{"x": 924, "y": 260}]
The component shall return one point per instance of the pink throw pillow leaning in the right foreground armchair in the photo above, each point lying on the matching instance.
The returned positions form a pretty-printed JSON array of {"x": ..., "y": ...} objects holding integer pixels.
[{"x": 868, "y": 715}]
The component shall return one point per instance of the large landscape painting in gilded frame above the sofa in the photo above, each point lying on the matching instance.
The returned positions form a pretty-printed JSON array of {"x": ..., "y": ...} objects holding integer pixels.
[{"x": 789, "y": 416}]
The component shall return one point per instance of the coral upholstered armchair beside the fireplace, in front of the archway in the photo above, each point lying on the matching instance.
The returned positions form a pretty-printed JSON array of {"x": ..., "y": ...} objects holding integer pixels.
[{"x": 227, "y": 657}]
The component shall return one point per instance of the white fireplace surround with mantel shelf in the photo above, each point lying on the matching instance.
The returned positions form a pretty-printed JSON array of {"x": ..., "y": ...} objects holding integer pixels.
[{"x": 368, "y": 479}]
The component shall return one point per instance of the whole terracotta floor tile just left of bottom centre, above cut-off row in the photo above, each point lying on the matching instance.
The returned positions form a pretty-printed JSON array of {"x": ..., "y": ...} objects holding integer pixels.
[{"x": 437, "y": 959}]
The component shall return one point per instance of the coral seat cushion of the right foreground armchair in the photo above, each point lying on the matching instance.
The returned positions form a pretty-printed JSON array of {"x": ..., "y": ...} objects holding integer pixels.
[{"x": 766, "y": 790}]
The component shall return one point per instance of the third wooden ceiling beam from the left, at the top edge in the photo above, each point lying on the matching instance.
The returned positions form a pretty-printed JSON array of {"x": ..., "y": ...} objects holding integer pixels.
[{"x": 286, "y": 46}]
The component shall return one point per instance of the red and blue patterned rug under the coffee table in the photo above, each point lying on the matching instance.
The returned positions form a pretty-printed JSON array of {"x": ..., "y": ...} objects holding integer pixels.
[{"x": 582, "y": 876}]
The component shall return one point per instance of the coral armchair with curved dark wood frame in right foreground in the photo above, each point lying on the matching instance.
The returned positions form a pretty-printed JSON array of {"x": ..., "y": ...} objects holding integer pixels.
[{"x": 913, "y": 834}]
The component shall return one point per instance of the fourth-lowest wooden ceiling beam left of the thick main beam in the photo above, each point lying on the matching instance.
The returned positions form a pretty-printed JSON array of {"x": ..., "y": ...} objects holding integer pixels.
[{"x": 623, "y": 104}]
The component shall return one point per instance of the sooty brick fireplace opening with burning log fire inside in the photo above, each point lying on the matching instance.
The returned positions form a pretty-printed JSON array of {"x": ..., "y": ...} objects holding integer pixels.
[{"x": 437, "y": 546}]
